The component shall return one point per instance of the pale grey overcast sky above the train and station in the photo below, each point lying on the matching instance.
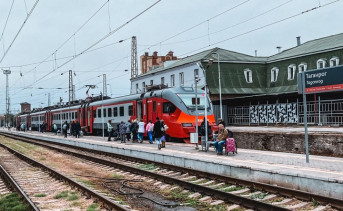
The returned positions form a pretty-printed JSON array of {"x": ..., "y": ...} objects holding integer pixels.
[{"x": 35, "y": 63}]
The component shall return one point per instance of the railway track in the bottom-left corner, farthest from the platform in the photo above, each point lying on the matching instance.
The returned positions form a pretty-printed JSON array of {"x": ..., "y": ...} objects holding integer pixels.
[{"x": 49, "y": 190}]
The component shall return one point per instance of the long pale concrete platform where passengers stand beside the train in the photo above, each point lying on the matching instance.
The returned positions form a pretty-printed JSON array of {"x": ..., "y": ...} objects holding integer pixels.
[{"x": 322, "y": 175}]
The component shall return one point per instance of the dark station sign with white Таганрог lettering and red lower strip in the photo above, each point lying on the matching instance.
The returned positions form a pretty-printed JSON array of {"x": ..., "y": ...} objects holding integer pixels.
[{"x": 322, "y": 80}]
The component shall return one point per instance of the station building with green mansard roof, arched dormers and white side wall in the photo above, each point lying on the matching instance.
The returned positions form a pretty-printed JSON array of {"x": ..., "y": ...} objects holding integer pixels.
[{"x": 258, "y": 90}]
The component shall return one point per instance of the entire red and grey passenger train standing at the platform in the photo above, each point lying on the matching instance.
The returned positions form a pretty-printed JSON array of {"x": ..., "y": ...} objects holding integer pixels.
[{"x": 174, "y": 105}]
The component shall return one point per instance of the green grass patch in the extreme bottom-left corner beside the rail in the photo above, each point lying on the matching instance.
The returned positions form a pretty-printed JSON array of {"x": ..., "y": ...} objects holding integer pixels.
[{"x": 12, "y": 202}]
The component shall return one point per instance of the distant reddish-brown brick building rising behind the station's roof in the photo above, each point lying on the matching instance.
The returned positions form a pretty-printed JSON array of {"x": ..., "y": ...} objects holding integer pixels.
[{"x": 154, "y": 61}]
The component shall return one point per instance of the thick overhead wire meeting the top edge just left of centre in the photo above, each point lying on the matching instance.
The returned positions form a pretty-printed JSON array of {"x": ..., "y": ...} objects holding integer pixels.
[{"x": 99, "y": 41}]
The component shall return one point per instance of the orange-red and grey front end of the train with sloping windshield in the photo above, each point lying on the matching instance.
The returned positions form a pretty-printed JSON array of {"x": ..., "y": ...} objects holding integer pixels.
[{"x": 179, "y": 112}]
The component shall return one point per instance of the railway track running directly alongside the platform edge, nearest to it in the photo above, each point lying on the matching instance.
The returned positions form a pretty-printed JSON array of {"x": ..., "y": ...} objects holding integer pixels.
[{"x": 205, "y": 187}]
